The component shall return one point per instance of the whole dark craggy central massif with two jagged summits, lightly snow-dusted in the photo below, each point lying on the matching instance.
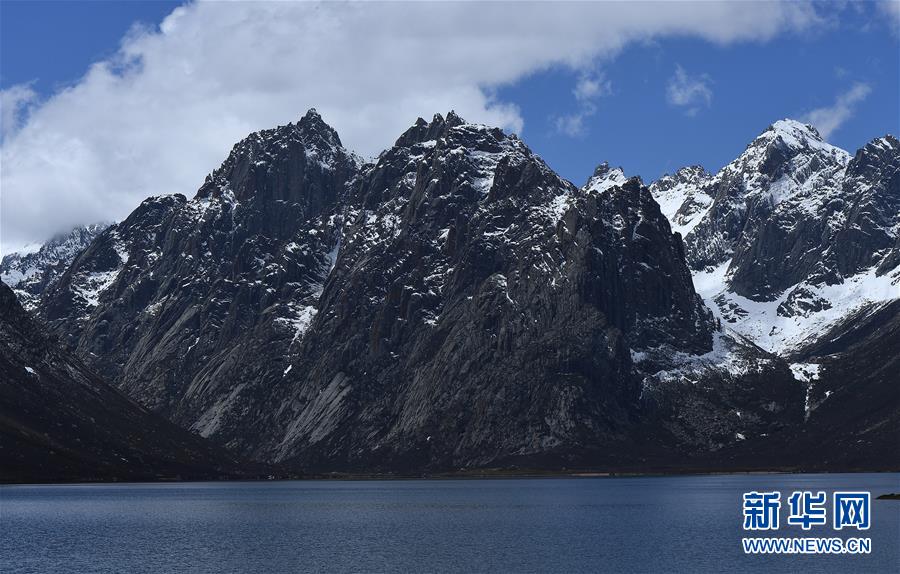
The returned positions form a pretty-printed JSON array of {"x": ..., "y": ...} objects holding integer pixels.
[{"x": 455, "y": 303}]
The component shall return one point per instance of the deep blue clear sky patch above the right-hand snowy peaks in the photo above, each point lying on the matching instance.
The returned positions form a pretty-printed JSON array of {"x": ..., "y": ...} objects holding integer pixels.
[{"x": 752, "y": 85}]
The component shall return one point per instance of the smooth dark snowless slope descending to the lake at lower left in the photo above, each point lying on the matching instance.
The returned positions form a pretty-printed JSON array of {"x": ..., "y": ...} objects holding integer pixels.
[{"x": 60, "y": 422}]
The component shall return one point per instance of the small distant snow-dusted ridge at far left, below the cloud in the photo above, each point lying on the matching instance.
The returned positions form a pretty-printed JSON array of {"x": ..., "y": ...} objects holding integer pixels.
[{"x": 30, "y": 273}]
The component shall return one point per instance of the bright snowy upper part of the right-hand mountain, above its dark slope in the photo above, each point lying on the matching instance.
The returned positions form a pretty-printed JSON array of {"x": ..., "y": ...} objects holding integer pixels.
[{"x": 792, "y": 236}]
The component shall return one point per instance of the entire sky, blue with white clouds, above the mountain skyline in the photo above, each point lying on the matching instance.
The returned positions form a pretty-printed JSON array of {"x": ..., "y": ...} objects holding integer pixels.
[{"x": 654, "y": 97}]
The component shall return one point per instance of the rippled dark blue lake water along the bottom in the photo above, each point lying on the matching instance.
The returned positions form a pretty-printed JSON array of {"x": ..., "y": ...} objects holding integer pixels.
[{"x": 653, "y": 524}]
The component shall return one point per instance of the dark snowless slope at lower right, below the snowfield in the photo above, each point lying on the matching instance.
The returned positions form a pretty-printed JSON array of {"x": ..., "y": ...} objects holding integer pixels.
[{"x": 853, "y": 411}]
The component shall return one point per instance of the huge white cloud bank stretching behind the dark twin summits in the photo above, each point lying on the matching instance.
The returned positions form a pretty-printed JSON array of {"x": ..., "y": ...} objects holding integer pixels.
[{"x": 167, "y": 108}]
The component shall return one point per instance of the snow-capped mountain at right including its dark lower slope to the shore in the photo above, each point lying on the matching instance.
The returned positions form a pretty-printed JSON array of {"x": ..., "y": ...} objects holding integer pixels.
[{"x": 794, "y": 247}]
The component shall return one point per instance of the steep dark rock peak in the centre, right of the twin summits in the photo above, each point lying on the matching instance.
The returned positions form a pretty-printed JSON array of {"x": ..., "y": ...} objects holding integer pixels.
[{"x": 481, "y": 311}]
